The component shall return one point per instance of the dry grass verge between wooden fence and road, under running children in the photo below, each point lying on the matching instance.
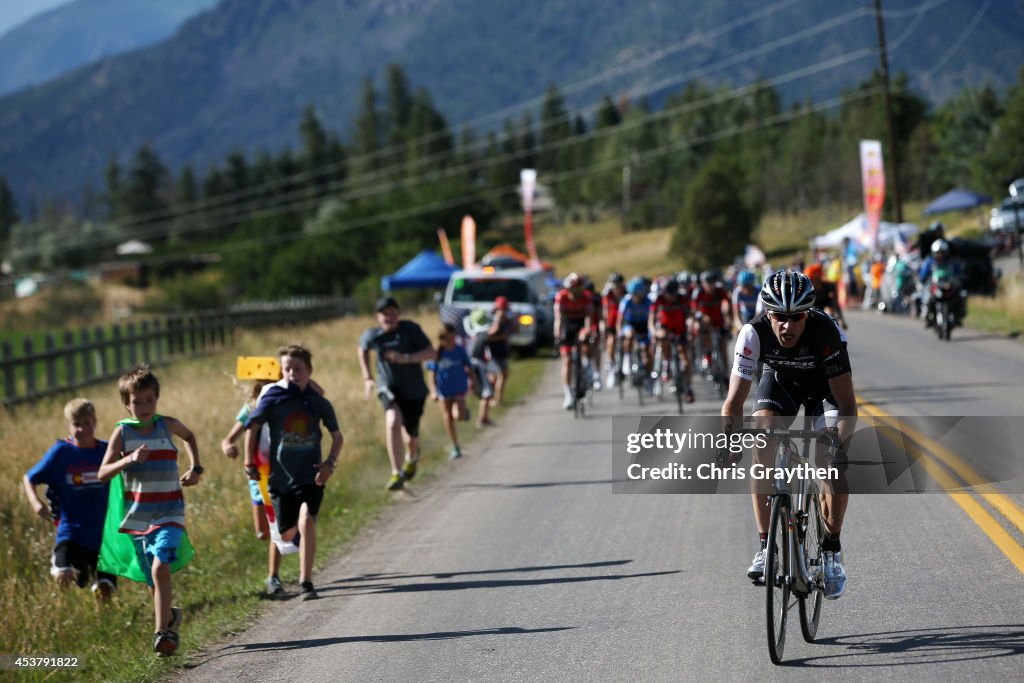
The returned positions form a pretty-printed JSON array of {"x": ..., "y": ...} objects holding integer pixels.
[{"x": 223, "y": 590}]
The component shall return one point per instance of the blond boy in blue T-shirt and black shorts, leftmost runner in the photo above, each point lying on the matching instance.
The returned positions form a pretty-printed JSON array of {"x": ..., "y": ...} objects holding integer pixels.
[{"x": 70, "y": 471}]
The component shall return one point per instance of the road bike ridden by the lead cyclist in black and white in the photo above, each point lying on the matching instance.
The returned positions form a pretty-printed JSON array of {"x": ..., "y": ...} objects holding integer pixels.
[{"x": 793, "y": 558}]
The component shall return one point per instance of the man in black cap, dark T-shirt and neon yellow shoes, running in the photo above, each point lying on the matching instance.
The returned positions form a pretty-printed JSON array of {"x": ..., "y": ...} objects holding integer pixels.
[{"x": 401, "y": 348}]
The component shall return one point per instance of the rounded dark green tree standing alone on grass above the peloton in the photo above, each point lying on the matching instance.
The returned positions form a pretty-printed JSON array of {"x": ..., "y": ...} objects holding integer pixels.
[{"x": 714, "y": 224}]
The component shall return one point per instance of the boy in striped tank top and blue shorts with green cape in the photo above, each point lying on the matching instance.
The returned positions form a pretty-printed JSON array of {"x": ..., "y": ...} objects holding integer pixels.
[{"x": 142, "y": 448}]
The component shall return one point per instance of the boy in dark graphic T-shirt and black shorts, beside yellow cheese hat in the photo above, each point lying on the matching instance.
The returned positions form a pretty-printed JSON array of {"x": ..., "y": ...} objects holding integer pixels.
[{"x": 294, "y": 411}]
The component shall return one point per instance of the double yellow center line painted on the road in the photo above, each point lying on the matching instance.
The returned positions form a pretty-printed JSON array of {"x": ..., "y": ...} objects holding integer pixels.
[{"x": 993, "y": 529}]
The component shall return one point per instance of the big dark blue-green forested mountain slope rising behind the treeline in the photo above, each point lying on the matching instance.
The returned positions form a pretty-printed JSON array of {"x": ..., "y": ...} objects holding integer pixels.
[{"x": 239, "y": 76}]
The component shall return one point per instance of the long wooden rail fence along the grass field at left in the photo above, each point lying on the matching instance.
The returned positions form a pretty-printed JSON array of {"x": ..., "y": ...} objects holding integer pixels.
[{"x": 61, "y": 362}]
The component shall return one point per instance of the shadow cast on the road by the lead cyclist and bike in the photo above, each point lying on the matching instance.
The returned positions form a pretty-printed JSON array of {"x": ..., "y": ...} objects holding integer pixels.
[{"x": 921, "y": 647}]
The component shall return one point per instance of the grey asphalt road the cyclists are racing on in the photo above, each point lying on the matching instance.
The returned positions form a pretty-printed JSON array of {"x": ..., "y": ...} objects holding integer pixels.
[{"x": 521, "y": 564}]
